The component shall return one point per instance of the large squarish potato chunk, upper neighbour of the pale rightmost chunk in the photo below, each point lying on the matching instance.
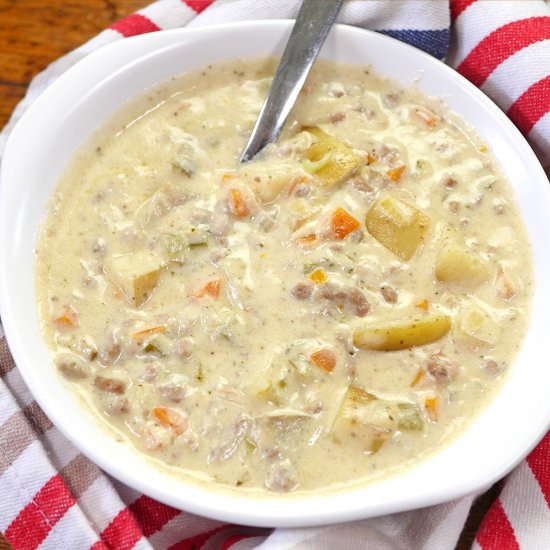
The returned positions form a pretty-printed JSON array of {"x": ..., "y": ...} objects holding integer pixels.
[{"x": 397, "y": 225}]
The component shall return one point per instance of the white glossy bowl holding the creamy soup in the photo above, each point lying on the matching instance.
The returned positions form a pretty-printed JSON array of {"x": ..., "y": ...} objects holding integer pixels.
[{"x": 66, "y": 113}]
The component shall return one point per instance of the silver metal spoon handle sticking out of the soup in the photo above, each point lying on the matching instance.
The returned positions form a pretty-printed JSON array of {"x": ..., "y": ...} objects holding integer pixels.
[{"x": 312, "y": 25}]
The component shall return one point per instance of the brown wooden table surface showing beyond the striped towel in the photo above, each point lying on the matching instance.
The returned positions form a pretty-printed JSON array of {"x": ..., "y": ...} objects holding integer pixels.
[{"x": 33, "y": 33}]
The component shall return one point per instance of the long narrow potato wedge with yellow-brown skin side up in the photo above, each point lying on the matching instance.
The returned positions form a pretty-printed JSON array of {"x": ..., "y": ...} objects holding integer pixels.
[{"x": 401, "y": 334}]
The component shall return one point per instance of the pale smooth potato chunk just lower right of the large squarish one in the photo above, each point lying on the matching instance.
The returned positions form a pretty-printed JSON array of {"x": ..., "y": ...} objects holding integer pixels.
[{"x": 455, "y": 264}]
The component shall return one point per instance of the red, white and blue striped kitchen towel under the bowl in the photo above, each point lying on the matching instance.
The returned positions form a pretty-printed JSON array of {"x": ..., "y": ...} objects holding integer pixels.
[{"x": 54, "y": 497}]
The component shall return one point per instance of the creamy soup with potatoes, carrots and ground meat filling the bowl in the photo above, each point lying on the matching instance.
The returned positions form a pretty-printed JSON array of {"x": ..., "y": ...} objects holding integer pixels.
[{"x": 327, "y": 314}]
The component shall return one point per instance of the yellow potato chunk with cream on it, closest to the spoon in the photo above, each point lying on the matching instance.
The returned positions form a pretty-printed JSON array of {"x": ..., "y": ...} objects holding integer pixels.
[{"x": 331, "y": 160}]
